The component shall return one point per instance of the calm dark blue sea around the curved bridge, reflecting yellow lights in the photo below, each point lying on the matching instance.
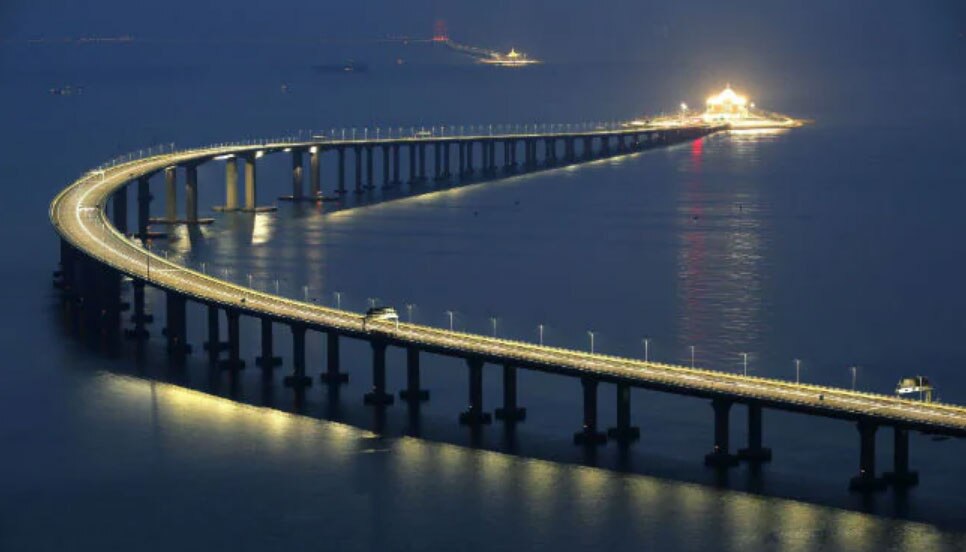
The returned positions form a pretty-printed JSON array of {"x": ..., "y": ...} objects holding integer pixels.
[{"x": 839, "y": 244}]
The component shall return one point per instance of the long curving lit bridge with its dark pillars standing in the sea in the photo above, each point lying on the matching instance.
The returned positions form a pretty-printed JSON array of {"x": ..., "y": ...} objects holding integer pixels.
[{"x": 97, "y": 250}]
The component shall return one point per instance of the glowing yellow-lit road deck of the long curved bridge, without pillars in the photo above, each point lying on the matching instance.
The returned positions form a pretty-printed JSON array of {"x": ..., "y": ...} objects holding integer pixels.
[{"x": 79, "y": 216}]
